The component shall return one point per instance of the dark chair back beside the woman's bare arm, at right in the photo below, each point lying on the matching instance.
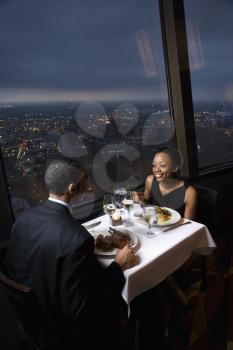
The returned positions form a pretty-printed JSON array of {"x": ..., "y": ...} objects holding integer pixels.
[{"x": 206, "y": 206}]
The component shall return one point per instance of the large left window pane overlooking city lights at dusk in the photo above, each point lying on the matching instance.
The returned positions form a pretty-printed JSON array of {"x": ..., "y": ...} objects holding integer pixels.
[{"x": 83, "y": 80}]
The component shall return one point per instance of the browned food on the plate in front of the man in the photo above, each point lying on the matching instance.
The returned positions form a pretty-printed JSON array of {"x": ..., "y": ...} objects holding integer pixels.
[{"x": 116, "y": 239}]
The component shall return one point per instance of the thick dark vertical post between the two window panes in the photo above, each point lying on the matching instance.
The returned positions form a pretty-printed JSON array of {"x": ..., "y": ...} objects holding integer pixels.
[{"x": 179, "y": 83}]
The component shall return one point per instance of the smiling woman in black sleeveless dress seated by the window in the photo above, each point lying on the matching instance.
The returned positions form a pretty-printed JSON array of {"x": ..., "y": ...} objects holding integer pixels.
[{"x": 165, "y": 188}]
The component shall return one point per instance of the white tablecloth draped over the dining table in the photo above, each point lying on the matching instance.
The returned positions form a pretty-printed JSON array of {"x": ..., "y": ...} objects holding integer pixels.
[{"x": 159, "y": 256}]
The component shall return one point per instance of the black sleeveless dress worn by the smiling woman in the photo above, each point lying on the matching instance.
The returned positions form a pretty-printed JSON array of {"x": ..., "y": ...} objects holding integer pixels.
[{"x": 173, "y": 200}]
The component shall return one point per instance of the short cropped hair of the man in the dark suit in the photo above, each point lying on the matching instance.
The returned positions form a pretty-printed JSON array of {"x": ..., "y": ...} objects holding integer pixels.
[{"x": 59, "y": 174}]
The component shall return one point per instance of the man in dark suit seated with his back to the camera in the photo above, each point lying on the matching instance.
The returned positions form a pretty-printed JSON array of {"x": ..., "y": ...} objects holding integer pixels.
[{"x": 53, "y": 254}]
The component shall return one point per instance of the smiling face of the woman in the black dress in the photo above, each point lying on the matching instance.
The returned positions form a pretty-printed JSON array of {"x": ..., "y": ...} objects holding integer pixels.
[{"x": 162, "y": 166}]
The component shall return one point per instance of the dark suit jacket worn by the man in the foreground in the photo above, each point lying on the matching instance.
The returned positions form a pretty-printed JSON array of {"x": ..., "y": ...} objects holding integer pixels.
[{"x": 53, "y": 254}]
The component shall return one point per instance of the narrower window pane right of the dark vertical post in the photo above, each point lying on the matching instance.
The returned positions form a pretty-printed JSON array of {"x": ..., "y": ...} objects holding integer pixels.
[{"x": 209, "y": 32}]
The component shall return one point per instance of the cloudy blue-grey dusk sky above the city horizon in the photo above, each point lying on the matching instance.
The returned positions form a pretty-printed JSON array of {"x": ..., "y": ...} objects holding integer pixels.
[{"x": 64, "y": 50}]
